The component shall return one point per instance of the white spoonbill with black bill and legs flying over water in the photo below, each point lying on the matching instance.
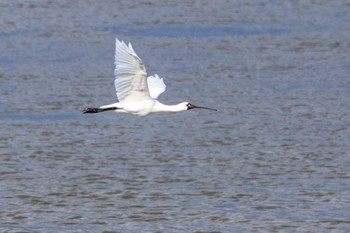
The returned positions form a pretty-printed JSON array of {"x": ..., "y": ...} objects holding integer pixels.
[{"x": 137, "y": 93}]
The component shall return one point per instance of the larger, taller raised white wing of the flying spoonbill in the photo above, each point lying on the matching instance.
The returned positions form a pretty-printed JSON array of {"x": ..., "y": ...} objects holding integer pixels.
[{"x": 130, "y": 74}]
